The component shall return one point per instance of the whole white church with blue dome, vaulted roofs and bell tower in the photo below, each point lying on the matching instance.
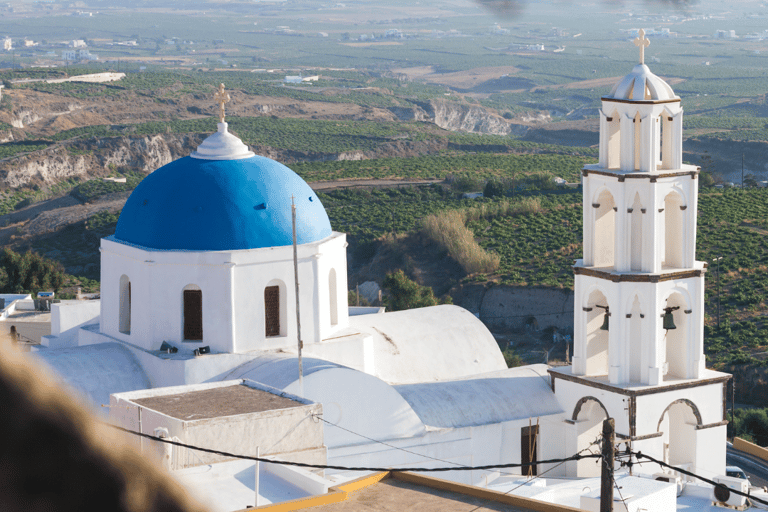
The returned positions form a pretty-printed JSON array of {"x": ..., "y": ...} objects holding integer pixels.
[{"x": 202, "y": 258}]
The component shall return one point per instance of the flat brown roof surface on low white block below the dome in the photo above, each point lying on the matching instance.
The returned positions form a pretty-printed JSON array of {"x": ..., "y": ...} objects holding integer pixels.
[{"x": 217, "y": 402}]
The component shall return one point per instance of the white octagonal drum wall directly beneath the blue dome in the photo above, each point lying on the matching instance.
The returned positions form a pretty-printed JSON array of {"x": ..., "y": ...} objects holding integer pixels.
[{"x": 232, "y": 285}]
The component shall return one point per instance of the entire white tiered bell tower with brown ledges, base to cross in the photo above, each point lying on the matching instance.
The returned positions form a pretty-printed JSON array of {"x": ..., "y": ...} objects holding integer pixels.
[{"x": 639, "y": 291}]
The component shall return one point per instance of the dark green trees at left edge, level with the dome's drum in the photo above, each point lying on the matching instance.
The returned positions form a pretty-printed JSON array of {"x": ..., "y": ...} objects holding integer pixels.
[{"x": 29, "y": 272}]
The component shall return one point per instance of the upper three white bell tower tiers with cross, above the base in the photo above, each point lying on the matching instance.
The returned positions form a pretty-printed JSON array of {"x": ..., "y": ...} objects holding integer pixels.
[{"x": 639, "y": 242}]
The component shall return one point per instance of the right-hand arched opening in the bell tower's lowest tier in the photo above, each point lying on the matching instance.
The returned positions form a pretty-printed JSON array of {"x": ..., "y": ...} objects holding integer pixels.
[{"x": 678, "y": 427}]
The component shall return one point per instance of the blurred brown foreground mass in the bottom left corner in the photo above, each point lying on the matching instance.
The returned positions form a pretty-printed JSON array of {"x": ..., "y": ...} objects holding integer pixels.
[{"x": 57, "y": 457}]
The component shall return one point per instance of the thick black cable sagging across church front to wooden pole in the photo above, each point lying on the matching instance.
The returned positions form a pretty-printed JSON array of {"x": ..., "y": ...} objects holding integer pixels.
[{"x": 348, "y": 468}]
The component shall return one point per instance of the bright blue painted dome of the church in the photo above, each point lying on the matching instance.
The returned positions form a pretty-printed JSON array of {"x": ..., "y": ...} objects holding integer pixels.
[{"x": 193, "y": 204}]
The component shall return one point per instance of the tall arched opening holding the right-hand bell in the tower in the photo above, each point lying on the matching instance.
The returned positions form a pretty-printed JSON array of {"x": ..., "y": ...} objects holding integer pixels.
[{"x": 675, "y": 324}]
